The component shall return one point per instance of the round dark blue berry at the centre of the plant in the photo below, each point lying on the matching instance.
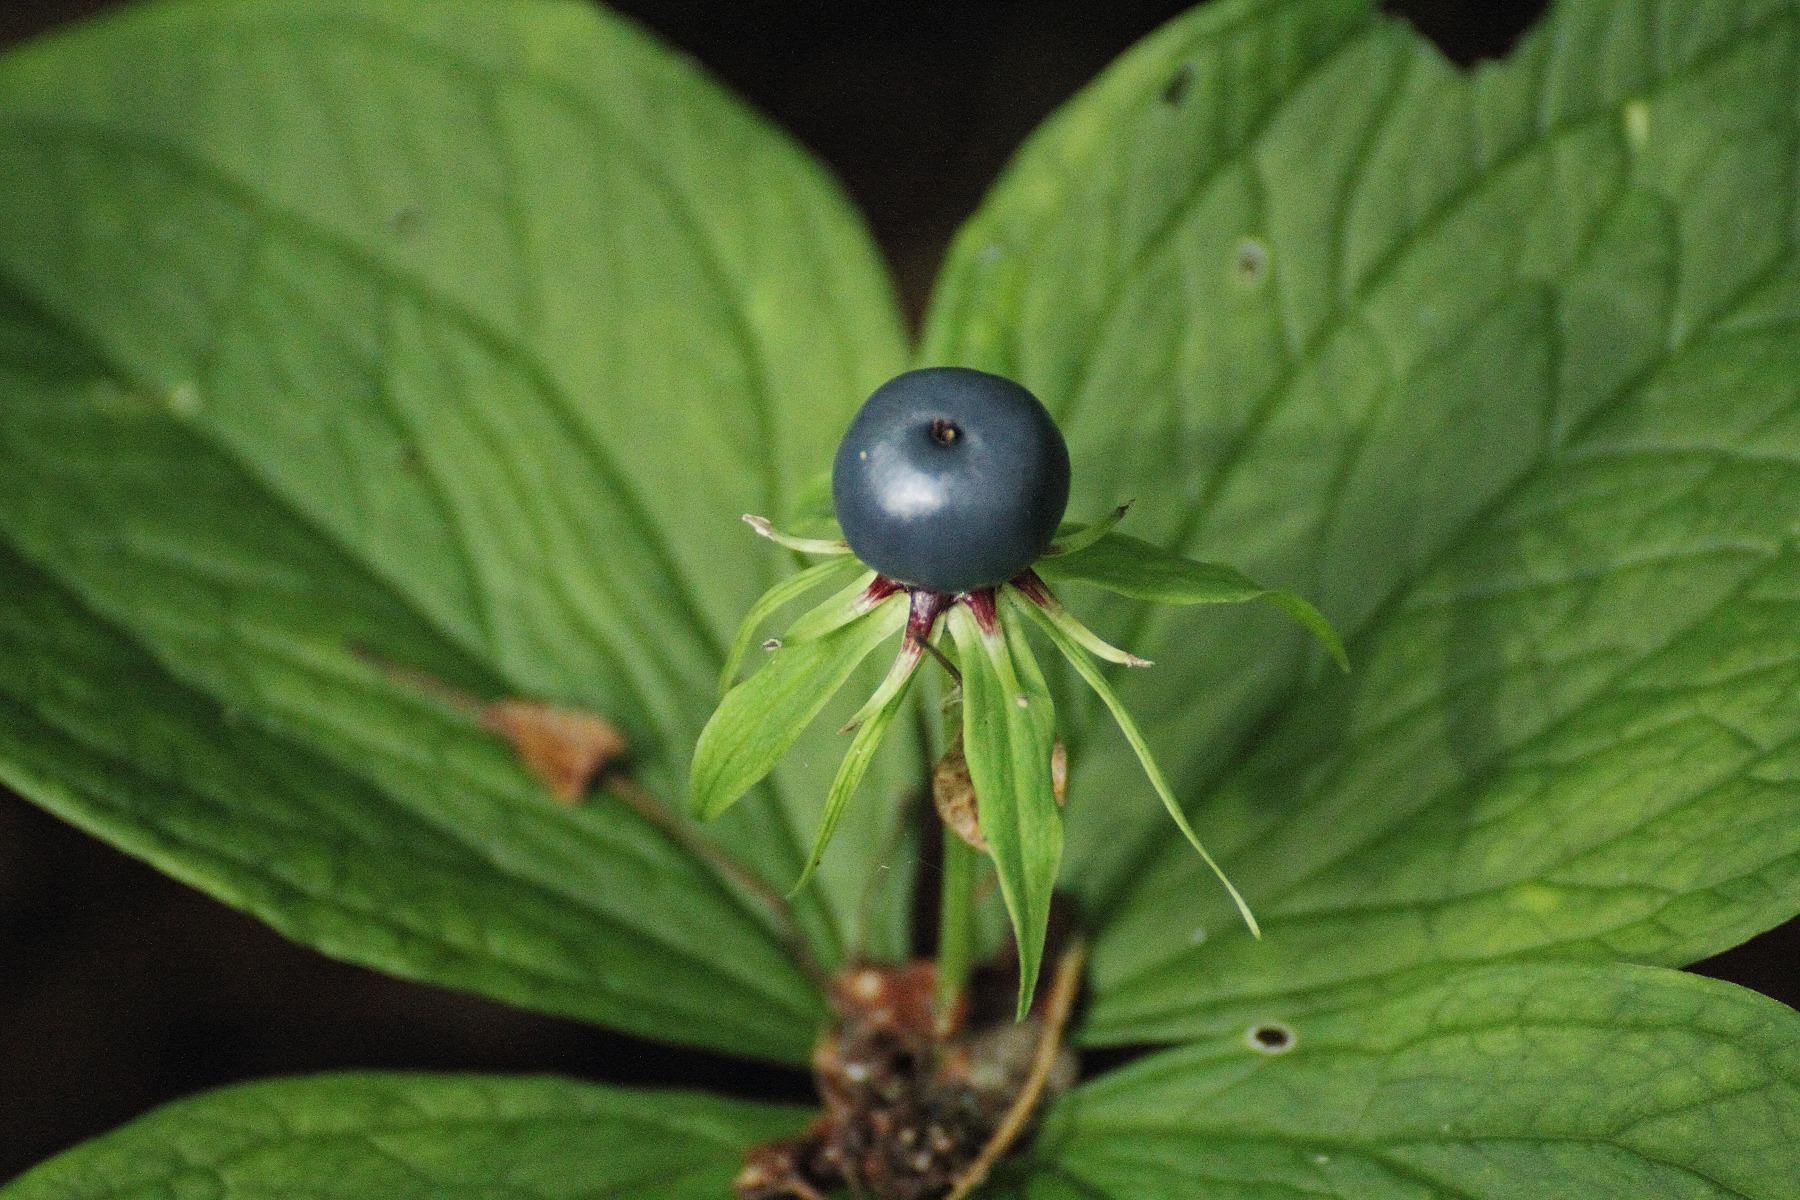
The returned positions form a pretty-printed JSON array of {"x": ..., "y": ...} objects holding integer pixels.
[{"x": 951, "y": 479}]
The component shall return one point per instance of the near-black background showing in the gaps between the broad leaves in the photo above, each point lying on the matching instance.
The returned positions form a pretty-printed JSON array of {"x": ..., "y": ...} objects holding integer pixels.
[{"x": 121, "y": 990}]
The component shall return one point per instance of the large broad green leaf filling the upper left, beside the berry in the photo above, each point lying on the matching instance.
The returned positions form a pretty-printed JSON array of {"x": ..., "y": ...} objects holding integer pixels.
[{"x": 445, "y": 334}]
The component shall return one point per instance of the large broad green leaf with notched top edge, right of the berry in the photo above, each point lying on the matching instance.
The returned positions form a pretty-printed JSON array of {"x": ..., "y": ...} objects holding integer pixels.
[{"x": 1500, "y": 370}]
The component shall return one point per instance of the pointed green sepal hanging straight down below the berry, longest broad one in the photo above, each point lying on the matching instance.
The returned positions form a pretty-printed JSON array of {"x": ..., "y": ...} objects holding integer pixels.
[{"x": 1009, "y": 735}]
